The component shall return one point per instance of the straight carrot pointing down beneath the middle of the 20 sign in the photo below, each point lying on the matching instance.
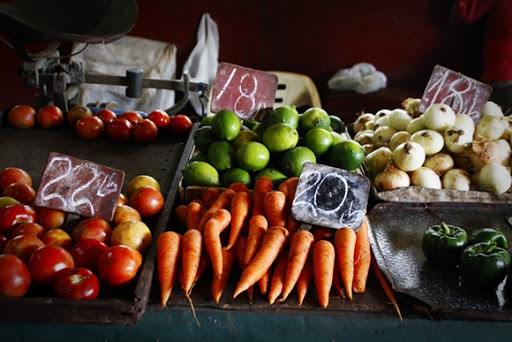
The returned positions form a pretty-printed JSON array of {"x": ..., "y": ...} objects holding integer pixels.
[{"x": 323, "y": 269}]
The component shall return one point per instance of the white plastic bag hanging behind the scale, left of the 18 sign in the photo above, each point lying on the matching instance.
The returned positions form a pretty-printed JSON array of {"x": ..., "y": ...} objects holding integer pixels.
[{"x": 201, "y": 65}]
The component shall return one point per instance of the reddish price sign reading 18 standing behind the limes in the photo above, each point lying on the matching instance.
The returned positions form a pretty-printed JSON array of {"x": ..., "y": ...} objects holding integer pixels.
[{"x": 247, "y": 92}]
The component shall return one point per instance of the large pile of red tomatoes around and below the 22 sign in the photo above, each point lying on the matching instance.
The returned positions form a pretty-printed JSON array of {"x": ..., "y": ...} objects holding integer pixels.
[{"x": 42, "y": 250}]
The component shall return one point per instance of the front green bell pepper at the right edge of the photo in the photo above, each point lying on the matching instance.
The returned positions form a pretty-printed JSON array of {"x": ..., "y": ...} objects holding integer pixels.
[{"x": 484, "y": 264}]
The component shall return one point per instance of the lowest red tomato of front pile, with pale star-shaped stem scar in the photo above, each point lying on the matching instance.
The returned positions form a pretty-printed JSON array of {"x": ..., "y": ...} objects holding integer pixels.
[{"x": 78, "y": 283}]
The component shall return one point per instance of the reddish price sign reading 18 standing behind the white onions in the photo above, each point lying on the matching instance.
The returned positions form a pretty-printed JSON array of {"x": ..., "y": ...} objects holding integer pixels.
[{"x": 463, "y": 94}]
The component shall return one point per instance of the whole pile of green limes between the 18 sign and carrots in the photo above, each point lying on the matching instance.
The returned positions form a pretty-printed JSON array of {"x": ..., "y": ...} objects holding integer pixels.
[{"x": 229, "y": 150}]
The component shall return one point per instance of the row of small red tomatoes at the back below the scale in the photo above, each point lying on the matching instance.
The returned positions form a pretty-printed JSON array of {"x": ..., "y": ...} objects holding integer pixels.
[{"x": 127, "y": 126}]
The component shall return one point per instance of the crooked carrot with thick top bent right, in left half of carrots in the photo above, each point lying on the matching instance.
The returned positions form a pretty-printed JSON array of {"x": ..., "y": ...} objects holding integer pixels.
[{"x": 215, "y": 225}]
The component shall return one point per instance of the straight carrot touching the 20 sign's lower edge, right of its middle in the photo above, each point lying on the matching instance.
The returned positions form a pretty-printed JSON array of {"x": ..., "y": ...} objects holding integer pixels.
[{"x": 345, "y": 242}]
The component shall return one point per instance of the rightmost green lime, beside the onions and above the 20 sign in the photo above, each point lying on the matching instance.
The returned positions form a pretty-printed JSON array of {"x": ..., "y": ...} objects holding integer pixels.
[{"x": 347, "y": 154}]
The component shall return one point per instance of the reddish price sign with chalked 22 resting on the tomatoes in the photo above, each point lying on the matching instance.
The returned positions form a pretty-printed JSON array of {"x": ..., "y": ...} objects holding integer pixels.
[{"x": 79, "y": 187}]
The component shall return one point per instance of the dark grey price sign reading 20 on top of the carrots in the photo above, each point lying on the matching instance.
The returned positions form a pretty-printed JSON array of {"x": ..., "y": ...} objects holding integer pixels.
[{"x": 330, "y": 197}]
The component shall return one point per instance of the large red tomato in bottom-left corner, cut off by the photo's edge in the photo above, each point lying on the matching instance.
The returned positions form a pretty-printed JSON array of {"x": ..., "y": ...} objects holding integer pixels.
[{"x": 14, "y": 276}]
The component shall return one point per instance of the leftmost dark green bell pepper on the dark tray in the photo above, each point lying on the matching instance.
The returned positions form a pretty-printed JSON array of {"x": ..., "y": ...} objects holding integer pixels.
[{"x": 442, "y": 244}]
